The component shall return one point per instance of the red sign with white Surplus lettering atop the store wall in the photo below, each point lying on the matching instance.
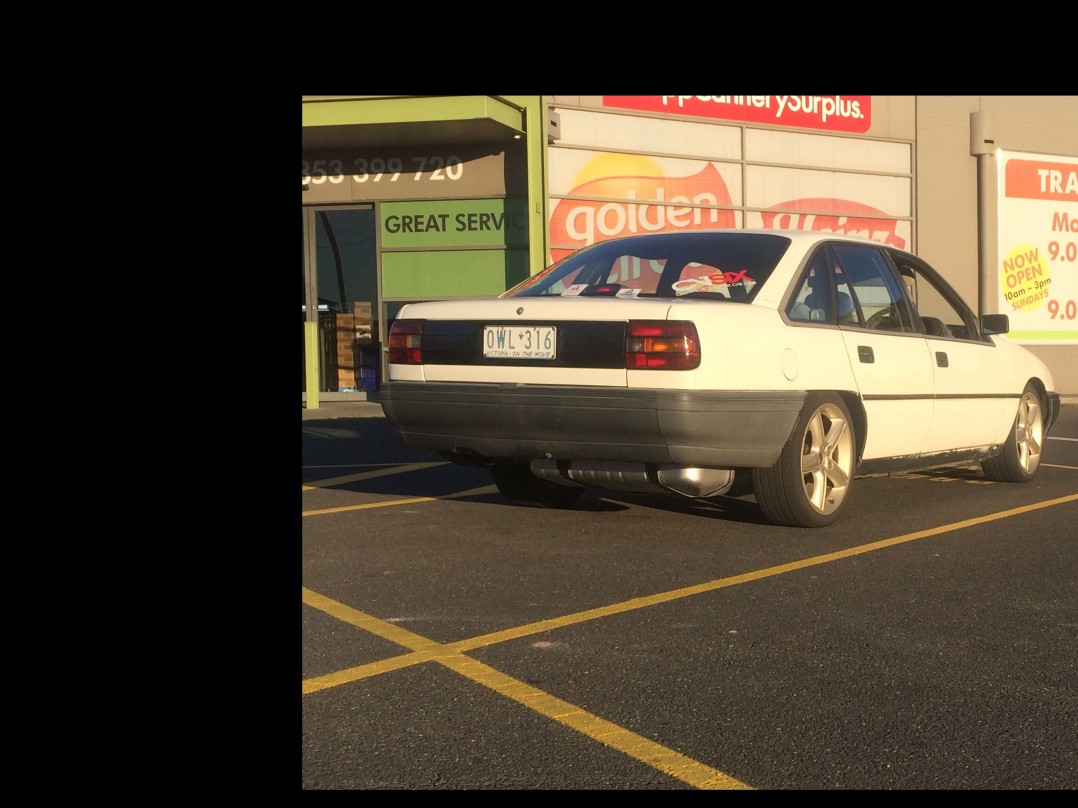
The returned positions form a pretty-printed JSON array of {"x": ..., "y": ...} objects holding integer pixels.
[{"x": 833, "y": 114}]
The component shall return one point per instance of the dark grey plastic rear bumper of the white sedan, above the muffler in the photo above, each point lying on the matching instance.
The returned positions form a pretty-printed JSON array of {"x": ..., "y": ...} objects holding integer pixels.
[{"x": 494, "y": 423}]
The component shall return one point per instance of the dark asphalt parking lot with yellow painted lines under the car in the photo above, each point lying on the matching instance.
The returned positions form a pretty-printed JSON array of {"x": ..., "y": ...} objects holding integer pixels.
[{"x": 454, "y": 642}]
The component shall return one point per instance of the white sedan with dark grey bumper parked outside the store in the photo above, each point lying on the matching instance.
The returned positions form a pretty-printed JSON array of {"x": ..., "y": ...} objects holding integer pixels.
[{"x": 671, "y": 363}]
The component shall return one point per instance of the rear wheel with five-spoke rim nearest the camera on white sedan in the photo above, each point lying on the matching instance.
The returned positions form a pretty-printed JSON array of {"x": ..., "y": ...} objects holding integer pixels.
[{"x": 809, "y": 485}]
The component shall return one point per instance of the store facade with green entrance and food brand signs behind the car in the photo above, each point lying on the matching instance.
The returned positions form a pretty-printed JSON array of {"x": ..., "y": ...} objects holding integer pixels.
[{"x": 410, "y": 199}]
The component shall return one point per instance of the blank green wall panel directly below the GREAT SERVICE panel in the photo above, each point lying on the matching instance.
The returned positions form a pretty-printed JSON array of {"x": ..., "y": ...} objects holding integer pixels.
[{"x": 452, "y": 273}]
